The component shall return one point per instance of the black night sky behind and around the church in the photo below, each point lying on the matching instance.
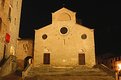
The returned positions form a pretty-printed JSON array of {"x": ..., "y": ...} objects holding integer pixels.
[{"x": 102, "y": 15}]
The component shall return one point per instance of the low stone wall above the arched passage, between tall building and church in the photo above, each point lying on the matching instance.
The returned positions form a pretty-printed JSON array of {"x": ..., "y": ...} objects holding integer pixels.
[{"x": 24, "y": 49}]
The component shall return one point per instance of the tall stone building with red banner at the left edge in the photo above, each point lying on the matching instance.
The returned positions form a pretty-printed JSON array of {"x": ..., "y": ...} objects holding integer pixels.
[{"x": 10, "y": 11}]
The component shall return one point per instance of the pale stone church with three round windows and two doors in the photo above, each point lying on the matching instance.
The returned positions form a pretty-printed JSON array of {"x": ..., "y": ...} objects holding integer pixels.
[{"x": 64, "y": 43}]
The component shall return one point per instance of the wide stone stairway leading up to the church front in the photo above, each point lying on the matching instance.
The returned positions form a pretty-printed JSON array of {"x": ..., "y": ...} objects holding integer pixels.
[{"x": 77, "y": 73}]
